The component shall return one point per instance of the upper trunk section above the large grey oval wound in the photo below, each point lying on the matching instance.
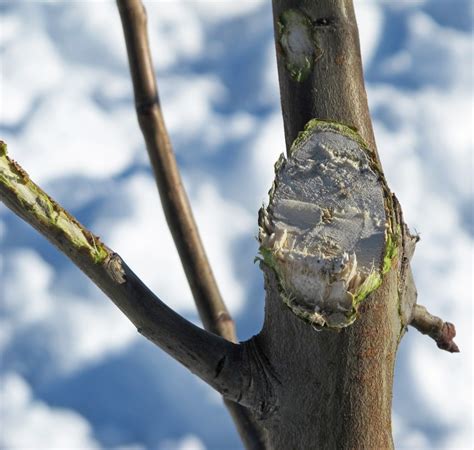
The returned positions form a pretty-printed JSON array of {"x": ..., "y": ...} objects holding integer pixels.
[{"x": 319, "y": 66}]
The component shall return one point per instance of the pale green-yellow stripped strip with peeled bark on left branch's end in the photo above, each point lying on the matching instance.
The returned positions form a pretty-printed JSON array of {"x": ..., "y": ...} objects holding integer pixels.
[{"x": 45, "y": 211}]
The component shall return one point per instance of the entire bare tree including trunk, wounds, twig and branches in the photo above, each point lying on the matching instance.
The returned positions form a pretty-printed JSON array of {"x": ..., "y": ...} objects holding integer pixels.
[{"x": 307, "y": 381}]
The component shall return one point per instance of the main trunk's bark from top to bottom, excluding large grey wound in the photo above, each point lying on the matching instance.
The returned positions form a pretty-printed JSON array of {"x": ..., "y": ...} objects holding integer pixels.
[{"x": 330, "y": 388}]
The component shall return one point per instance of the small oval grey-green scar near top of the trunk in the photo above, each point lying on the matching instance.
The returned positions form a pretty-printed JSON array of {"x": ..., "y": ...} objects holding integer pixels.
[{"x": 297, "y": 43}]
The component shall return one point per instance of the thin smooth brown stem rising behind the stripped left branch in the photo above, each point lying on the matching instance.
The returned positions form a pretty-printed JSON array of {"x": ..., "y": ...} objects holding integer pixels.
[{"x": 212, "y": 310}]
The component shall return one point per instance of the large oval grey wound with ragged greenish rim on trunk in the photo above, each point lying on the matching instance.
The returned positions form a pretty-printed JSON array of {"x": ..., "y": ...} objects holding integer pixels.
[{"x": 325, "y": 228}]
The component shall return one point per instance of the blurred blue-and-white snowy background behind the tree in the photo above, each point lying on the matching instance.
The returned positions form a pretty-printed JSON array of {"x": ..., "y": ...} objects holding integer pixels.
[{"x": 74, "y": 372}]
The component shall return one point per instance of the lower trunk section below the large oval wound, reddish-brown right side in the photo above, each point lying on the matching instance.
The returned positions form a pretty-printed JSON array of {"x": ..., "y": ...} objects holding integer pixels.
[{"x": 334, "y": 389}]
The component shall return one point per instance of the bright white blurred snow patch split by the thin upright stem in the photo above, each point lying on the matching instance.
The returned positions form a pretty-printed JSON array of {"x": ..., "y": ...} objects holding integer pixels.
[{"x": 142, "y": 238}]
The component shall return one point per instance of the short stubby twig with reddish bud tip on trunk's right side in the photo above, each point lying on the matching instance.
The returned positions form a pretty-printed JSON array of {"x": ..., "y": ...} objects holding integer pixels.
[{"x": 442, "y": 332}]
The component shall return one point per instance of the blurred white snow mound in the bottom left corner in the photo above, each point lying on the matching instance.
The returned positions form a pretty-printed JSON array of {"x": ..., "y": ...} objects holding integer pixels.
[{"x": 31, "y": 424}]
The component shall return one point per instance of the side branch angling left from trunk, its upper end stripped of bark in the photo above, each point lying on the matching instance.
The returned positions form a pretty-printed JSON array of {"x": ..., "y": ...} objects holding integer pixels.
[{"x": 214, "y": 359}]
